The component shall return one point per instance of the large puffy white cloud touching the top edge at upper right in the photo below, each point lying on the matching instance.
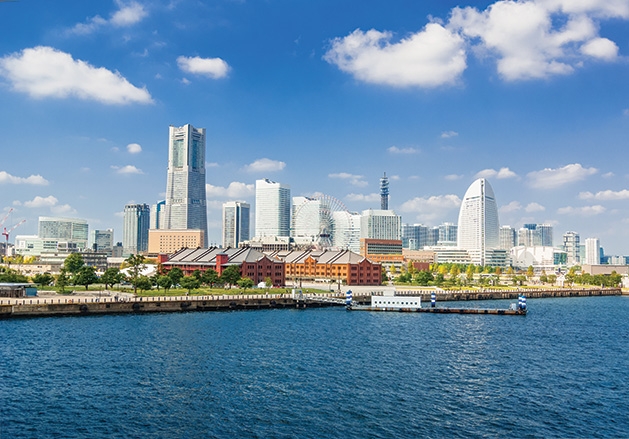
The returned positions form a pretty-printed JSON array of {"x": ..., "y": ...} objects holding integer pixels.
[{"x": 537, "y": 38}]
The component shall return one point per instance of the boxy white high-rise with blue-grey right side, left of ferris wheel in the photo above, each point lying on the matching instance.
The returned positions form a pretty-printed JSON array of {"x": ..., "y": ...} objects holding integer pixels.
[{"x": 272, "y": 208}]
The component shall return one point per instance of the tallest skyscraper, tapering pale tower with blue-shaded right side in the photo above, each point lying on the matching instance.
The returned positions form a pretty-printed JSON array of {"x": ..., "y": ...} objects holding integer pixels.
[{"x": 186, "y": 205}]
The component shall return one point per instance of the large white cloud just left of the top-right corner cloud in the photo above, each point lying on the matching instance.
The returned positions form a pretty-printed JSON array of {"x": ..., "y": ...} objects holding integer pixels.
[{"x": 431, "y": 57}]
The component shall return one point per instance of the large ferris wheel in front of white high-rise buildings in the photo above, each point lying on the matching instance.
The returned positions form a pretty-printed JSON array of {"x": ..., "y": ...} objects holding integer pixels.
[{"x": 323, "y": 218}]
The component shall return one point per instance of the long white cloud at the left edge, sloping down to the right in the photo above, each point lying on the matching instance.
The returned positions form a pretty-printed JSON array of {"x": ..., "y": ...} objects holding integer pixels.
[{"x": 44, "y": 72}]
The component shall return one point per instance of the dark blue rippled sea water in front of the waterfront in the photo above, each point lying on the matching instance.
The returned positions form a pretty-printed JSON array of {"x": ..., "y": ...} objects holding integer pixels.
[{"x": 561, "y": 371}]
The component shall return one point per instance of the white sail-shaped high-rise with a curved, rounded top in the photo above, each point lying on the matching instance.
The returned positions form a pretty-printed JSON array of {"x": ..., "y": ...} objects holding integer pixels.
[{"x": 478, "y": 220}]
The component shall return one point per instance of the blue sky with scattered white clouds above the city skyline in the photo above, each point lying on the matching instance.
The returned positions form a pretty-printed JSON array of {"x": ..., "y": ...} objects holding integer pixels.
[{"x": 324, "y": 96}]
